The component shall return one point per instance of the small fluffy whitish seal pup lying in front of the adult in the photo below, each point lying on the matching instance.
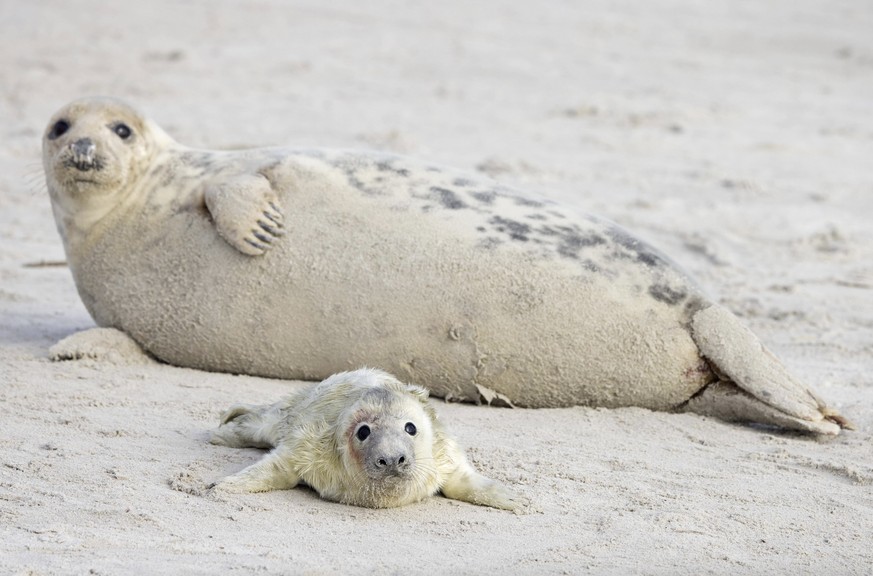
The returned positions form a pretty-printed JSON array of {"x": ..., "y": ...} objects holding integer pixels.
[{"x": 361, "y": 438}]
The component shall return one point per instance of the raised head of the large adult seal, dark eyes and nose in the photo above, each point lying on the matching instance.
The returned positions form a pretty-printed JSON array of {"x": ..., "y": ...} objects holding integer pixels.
[{"x": 94, "y": 149}]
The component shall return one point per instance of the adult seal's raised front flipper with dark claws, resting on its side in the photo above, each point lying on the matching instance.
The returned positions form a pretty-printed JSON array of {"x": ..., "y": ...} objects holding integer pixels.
[{"x": 246, "y": 212}]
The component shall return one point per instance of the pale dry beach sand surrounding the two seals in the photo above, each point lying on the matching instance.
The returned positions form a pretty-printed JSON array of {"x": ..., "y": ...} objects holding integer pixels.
[{"x": 736, "y": 135}]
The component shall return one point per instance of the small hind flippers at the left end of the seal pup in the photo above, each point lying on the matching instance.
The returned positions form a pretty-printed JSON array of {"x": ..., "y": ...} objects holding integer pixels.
[{"x": 248, "y": 426}]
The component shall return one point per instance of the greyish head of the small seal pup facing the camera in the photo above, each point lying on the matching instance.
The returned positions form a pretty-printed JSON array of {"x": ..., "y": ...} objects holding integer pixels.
[{"x": 386, "y": 445}]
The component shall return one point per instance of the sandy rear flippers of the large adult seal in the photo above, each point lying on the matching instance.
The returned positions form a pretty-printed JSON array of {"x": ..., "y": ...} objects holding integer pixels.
[{"x": 754, "y": 385}]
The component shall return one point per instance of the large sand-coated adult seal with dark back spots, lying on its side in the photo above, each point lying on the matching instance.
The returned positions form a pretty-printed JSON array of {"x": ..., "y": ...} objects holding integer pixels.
[{"x": 302, "y": 263}]
